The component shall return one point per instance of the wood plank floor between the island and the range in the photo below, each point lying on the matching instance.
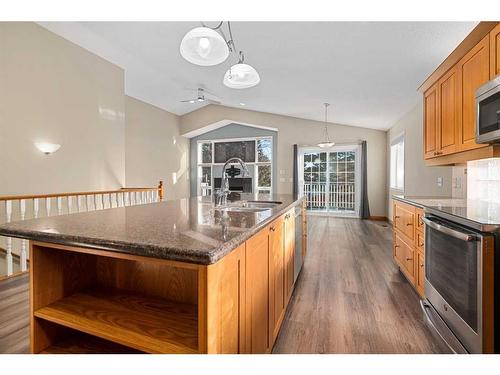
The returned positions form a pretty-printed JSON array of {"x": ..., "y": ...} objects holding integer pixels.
[{"x": 351, "y": 298}]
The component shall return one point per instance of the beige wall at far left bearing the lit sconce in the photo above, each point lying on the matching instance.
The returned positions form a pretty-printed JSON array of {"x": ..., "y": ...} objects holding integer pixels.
[{"x": 52, "y": 90}]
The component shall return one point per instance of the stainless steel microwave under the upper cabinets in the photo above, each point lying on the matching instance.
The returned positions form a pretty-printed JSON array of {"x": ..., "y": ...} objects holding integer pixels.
[{"x": 488, "y": 112}]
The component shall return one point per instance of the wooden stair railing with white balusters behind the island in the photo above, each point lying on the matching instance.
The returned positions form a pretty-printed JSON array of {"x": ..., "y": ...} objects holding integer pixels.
[{"x": 22, "y": 207}]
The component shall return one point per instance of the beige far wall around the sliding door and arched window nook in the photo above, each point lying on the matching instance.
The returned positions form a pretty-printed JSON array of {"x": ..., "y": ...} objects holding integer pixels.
[{"x": 294, "y": 130}]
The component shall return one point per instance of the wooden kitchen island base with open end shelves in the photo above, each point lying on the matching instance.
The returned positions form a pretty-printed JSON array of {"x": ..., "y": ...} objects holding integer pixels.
[{"x": 93, "y": 301}]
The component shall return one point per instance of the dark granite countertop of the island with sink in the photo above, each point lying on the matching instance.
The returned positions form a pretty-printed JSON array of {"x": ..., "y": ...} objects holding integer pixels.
[{"x": 188, "y": 230}]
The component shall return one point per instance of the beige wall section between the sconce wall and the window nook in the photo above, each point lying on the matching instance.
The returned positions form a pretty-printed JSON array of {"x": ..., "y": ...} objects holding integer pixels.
[{"x": 155, "y": 150}]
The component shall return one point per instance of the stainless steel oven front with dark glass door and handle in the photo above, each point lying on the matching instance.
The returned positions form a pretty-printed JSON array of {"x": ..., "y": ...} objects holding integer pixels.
[{"x": 453, "y": 279}]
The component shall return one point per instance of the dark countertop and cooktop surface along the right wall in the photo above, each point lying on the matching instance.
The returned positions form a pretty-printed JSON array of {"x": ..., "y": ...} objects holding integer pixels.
[{"x": 483, "y": 215}]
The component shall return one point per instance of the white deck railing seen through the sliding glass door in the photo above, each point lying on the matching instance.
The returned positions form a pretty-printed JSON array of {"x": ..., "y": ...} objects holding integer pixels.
[{"x": 330, "y": 197}]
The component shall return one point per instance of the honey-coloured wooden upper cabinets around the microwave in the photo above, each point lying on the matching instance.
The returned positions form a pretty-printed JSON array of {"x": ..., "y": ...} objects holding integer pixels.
[{"x": 450, "y": 100}]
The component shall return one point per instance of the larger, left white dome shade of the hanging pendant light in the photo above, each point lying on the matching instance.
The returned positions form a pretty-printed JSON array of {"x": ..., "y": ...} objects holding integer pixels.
[{"x": 204, "y": 46}]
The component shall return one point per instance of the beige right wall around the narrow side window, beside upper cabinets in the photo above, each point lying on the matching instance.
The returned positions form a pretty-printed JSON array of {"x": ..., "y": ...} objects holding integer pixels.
[{"x": 420, "y": 180}]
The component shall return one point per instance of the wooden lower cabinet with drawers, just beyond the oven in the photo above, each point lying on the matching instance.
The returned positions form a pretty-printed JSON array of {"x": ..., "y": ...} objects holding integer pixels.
[{"x": 409, "y": 243}]
